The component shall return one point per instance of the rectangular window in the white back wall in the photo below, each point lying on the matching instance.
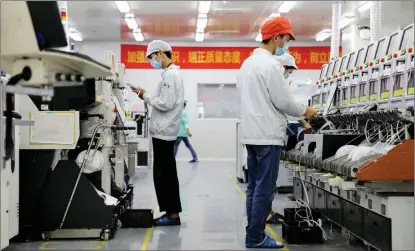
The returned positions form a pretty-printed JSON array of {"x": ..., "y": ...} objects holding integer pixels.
[{"x": 217, "y": 101}]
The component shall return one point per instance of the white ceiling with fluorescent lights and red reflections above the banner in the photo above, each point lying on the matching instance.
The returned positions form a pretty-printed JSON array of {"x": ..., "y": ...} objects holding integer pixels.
[{"x": 176, "y": 20}]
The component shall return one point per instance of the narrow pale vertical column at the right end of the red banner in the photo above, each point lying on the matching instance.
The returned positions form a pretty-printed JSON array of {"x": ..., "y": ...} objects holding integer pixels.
[{"x": 335, "y": 29}]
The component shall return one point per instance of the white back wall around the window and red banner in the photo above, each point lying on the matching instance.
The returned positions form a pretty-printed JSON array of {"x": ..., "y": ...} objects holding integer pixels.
[{"x": 212, "y": 138}]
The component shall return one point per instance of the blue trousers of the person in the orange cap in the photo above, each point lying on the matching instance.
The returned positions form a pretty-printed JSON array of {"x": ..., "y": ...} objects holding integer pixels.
[{"x": 263, "y": 164}]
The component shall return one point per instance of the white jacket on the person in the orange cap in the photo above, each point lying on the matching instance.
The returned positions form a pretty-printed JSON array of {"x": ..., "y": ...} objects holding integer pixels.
[{"x": 265, "y": 99}]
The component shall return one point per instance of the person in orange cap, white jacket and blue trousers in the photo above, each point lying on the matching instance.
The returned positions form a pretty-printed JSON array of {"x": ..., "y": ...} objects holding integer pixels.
[{"x": 265, "y": 99}]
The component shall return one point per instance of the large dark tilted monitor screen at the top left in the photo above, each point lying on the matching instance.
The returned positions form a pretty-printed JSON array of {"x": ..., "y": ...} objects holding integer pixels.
[{"x": 47, "y": 24}]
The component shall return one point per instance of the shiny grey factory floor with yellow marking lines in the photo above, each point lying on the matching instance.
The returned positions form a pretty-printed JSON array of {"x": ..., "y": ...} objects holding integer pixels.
[{"x": 213, "y": 217}]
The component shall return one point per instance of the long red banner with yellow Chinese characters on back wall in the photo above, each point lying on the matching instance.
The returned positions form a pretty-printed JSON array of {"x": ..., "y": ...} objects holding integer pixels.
[{"x": 307, "y": 58}]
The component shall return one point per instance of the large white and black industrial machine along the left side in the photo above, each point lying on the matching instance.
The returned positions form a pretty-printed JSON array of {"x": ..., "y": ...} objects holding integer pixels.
[{"x": 64, "y": 175}]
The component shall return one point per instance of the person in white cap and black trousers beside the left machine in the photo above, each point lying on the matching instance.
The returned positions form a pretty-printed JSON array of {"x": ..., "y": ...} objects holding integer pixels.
[{"x": 167, "y": 104}]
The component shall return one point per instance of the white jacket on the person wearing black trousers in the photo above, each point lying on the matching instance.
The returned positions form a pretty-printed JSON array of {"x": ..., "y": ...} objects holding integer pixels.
[{"x": 167, "y": 103}]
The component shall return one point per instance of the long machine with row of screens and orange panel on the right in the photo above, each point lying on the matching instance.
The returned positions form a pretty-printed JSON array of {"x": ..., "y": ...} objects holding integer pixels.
[{"x": 357, "y": 169}]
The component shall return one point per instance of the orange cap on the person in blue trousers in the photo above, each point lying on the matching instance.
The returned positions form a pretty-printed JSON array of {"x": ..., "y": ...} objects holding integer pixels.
[{"x": 276, "y": 26}]
